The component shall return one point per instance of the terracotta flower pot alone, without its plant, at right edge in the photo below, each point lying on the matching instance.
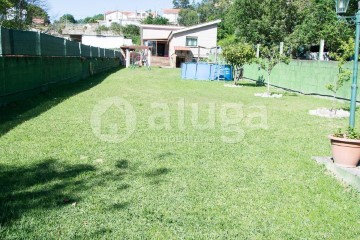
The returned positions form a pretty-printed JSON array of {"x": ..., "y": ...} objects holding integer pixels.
[{"x": 346, "y": 152}]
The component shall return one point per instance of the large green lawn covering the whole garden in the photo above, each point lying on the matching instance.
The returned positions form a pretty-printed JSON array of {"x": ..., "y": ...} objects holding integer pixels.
[{"x": 169, "y": 183}]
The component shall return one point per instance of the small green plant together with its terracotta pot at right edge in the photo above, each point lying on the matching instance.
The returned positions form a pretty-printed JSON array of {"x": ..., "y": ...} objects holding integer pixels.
[{"x": 345, "y": 146}]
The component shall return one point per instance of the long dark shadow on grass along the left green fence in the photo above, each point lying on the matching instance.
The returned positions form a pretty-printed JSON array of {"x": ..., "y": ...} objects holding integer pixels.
[{"x": 20, "y": 111}]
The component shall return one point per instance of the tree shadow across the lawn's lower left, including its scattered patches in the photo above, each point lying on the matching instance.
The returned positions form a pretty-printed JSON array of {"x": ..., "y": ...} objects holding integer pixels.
[{"x": 53, "y": 184}]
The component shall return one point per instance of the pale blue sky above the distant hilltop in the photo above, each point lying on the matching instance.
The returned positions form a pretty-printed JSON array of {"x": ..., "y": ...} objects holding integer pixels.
[{"x": 84, "y": 8}]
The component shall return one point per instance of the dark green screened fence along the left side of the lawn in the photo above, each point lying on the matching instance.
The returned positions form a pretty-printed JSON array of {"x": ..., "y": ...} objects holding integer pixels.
[{"x": 31, "y": 61}]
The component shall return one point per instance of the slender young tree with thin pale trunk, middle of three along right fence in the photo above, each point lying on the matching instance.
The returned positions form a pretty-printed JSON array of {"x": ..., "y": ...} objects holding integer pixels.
[{"x": 270, "y": 57}]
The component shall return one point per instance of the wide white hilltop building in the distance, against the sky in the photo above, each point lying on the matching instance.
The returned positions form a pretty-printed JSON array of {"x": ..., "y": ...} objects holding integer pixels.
[{"x": 126, "y": 18}]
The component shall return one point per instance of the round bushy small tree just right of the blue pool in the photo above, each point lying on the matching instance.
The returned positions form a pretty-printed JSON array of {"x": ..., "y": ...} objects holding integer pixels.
[{"x": 238, "y": 55}]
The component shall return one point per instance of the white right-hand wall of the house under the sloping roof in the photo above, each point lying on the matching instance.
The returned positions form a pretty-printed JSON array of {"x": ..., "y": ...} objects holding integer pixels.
[{"x": 207, "y": 37}]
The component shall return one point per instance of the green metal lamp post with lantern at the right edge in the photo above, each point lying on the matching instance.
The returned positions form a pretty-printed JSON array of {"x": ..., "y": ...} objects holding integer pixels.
[{"x": 341, "y": 7}]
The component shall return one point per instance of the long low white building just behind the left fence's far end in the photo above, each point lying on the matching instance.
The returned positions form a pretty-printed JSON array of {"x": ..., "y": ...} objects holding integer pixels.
[{"x": 106, "y": 41}]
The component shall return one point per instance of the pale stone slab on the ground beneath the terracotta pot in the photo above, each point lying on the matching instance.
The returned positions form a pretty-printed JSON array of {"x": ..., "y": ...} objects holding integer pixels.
[{"x": 351, "y": 176}]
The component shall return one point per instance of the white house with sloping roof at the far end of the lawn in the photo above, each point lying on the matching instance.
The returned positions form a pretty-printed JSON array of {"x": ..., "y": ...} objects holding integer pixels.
[{"x": 178, "y": 44}]
